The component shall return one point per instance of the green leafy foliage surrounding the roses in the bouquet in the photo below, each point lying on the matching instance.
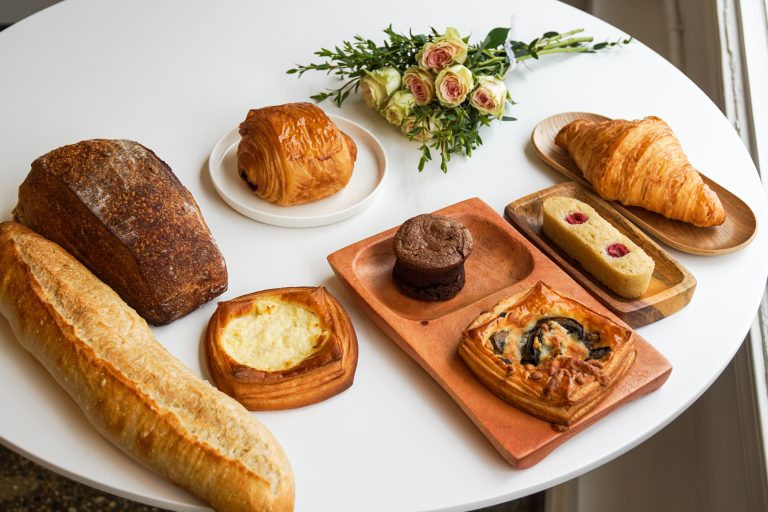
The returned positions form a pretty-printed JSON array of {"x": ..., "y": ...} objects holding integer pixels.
[{"x": 453, "y": 129}]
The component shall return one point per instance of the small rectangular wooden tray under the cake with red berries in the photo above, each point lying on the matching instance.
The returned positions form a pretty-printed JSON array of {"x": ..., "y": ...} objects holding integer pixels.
[{"x": 671, "y": 286}]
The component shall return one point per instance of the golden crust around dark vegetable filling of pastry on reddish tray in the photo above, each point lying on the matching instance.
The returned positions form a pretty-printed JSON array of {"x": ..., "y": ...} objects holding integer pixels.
[{"x": 560, "y": 390}]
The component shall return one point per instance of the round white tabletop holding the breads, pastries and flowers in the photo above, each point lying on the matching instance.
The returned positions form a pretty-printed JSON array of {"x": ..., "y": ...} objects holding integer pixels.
[{"x": 177, "y": 75}]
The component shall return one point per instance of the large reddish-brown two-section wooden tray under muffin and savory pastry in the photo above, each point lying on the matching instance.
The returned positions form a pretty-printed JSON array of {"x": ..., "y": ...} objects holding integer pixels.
[{"x": 503, "y": 262}]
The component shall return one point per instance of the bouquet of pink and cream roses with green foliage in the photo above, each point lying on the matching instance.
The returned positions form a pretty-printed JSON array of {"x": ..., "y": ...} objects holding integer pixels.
[{"x": 438, "y": 88}]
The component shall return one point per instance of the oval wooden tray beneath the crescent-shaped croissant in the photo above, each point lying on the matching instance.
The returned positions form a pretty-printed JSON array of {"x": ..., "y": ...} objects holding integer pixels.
[{"x": 736, "y": 233}]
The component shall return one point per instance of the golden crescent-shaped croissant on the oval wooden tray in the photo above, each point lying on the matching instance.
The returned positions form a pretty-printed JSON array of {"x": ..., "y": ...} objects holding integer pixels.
[{"x": 641, "y": 163}]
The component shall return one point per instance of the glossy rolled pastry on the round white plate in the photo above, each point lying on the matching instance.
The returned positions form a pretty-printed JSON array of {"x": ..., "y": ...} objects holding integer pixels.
[{"x": 293, "y": 154}]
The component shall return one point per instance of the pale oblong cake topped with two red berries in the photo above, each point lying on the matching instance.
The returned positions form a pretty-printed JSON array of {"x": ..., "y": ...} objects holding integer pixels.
[{"x": 615, "y": 260}]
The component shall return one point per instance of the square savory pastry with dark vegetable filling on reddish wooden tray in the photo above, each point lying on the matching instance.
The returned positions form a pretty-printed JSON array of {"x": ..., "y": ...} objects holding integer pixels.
[{"x": 547, "y": 354}]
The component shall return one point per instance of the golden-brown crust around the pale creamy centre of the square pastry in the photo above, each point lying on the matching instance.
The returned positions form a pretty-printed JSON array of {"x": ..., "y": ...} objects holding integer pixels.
[{"x": 326, "y": 372}]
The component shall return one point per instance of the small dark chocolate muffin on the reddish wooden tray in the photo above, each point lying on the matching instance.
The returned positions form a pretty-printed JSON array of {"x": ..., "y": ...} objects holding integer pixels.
[{"x": 430, "y": 251}]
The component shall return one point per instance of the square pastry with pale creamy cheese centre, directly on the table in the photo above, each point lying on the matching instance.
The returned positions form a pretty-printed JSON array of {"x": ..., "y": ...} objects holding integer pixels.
[{"x": 281, "y": 348}]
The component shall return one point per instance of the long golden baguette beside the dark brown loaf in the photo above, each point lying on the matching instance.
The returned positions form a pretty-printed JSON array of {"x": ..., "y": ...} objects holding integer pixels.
[{"x": 133, "y": 391}]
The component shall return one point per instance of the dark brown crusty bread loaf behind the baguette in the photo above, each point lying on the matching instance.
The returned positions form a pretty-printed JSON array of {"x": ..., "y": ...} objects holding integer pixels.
[{"x": 122, "y": 212}]
